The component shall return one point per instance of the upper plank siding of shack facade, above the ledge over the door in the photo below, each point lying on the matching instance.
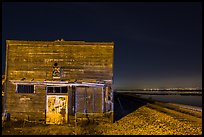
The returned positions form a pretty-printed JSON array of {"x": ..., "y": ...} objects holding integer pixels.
[{"x": 79, "y": 60}]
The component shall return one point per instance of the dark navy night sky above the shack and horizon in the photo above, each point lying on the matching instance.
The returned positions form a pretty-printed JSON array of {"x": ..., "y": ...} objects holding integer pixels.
[{"x": 157, "y": 45}]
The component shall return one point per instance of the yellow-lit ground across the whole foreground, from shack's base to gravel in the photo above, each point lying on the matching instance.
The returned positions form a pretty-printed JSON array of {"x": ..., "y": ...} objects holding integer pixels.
[{"x": 146, "y": 120}]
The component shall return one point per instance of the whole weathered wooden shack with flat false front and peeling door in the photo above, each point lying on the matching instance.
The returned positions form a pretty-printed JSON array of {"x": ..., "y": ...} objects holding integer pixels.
[{"x": 53, "y": 81}]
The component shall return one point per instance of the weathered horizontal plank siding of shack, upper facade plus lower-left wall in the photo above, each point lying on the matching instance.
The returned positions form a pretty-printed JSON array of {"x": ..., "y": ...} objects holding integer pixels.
[{"x": 34, "y": 60}]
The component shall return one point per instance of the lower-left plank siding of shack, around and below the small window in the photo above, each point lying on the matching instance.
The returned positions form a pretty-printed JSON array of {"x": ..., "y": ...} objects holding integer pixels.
[{"x": 24, "y": 106}]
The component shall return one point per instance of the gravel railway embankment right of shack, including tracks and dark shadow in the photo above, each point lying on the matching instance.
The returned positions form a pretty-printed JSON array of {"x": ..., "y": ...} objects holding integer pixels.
[{"x": 137, "y": 117}]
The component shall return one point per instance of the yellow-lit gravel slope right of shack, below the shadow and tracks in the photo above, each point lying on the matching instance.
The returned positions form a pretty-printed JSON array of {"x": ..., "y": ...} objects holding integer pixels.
[{"x": 147, "y": 121}]
